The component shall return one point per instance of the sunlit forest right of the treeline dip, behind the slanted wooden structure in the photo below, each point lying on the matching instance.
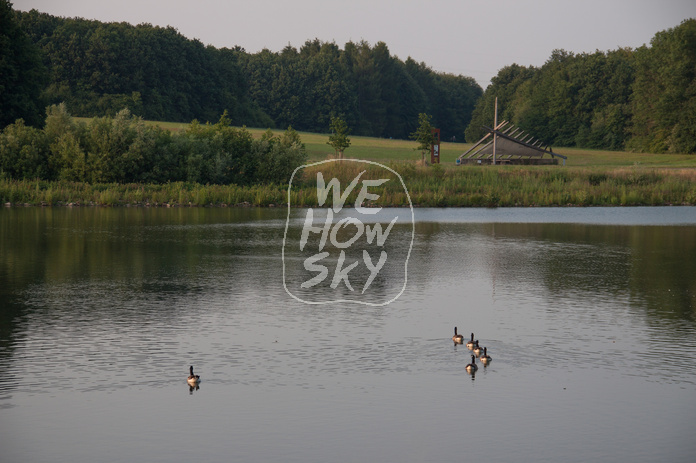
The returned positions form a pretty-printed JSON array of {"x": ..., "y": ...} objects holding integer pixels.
[{"x": 626, "y": 99}]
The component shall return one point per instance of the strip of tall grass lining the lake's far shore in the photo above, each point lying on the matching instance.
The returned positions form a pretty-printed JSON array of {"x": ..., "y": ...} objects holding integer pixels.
[{"x": 427, "y": 186}]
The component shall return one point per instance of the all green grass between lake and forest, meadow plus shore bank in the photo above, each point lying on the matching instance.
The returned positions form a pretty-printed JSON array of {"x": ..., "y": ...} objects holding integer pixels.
[{"x": 590, "y": 178}]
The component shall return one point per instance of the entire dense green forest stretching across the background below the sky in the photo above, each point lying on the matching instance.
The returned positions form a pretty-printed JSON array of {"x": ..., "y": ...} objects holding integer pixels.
[{"x": 640, "y": 99}]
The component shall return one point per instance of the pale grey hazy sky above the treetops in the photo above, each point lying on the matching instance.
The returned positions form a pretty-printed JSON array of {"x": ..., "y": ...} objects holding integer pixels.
[{"x": 474, "y": 38}]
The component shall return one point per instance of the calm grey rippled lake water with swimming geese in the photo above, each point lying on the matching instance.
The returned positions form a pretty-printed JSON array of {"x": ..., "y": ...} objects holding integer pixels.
[{"x": 589, "y": 315}]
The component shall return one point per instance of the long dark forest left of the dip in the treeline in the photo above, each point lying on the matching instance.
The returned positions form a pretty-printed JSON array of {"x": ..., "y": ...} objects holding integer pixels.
[{"x": 99, "y": 68}]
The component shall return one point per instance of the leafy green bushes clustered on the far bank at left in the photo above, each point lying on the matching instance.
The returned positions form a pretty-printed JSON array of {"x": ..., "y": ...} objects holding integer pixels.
[{"x": 123, "y": 149}]
